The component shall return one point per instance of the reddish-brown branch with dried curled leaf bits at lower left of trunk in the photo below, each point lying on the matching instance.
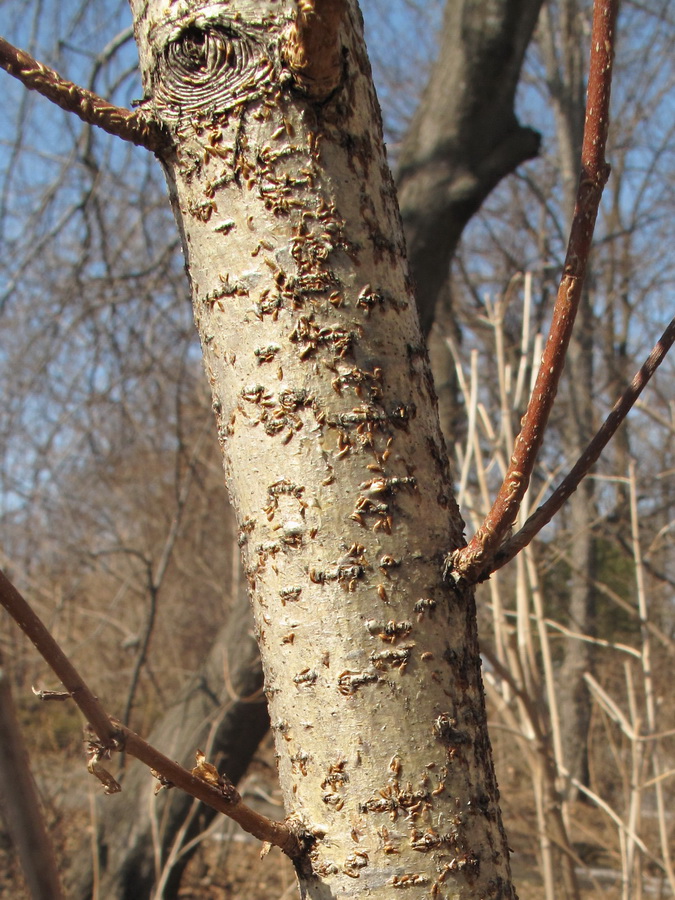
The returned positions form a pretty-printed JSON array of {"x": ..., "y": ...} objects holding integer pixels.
[{"x": 112, "y": 735}]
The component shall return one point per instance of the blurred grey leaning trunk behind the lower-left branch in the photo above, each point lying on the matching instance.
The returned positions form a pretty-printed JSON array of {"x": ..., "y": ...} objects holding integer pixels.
[{"x": 205, "y": 715}]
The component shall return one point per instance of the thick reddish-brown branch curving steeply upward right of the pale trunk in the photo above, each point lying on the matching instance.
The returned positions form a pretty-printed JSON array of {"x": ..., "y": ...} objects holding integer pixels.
[{"x": 476, "y": 557}]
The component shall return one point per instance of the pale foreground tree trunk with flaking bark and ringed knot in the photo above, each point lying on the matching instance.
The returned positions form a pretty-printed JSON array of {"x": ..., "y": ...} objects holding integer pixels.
[{"x": 328, "y": 423}]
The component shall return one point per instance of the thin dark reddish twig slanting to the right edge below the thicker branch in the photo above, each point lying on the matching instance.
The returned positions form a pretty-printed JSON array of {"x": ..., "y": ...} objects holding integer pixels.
[{"x": 543, "y": 515}]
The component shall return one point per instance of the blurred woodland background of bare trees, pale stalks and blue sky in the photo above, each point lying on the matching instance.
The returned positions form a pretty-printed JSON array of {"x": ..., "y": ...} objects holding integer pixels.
[{"x": 112, "y": 504}]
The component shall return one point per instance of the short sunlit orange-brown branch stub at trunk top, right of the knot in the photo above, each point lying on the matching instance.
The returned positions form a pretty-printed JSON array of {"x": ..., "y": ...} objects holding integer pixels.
[{"x": 313, "y": 52}]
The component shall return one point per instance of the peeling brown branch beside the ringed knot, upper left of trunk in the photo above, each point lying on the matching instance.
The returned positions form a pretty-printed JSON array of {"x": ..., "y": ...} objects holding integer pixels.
[{"x": 91, "y": 108}]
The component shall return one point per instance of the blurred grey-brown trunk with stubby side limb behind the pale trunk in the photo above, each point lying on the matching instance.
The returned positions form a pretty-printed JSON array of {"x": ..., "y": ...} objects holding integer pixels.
[{"x": 465, "y": 136}]
